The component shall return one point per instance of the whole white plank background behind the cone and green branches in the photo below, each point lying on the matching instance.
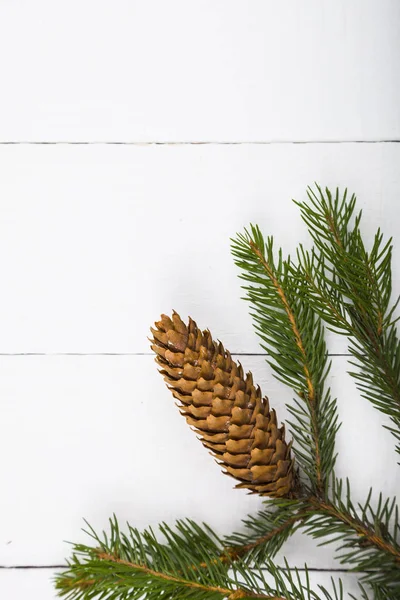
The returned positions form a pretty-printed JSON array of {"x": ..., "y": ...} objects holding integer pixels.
[{"x": 137, "y": 136}]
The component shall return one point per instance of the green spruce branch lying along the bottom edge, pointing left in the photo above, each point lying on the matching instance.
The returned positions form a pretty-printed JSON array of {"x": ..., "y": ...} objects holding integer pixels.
[{"x": 187, "y": 564}]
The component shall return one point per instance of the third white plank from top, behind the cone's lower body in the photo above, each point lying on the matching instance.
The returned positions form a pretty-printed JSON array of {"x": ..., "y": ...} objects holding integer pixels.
[{"x": 90, "y": 436}]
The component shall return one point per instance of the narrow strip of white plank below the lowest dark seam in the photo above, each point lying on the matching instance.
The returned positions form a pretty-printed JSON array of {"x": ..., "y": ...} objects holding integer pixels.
[{"x": 38, "y": 584}]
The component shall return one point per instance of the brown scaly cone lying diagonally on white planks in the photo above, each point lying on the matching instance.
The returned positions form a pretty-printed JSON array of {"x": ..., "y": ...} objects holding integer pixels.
[{"x": 224, "y": 407}]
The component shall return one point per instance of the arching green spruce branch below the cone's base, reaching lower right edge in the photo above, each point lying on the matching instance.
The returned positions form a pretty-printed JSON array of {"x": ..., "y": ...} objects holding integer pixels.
[{"x": 367, "y": 535}]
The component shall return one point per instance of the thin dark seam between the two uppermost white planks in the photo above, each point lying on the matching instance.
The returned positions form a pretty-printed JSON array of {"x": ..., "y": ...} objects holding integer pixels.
[{"x": 193, "y": 143}]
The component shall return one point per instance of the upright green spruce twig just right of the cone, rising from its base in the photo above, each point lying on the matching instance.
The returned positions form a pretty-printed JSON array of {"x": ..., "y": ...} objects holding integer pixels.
[{"x": 293, "y": 336}]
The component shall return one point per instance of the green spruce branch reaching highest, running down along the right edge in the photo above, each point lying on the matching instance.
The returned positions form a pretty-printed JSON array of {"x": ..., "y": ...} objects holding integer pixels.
[{"x": 351, "y": 289}]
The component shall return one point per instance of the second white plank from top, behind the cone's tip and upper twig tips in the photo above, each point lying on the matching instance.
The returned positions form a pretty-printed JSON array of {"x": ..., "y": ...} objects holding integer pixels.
[{"x": 97, "y": 241}]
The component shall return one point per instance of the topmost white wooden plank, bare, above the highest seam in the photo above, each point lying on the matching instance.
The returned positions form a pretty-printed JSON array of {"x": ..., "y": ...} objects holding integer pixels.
[{"x": 205, "y": 70}]
